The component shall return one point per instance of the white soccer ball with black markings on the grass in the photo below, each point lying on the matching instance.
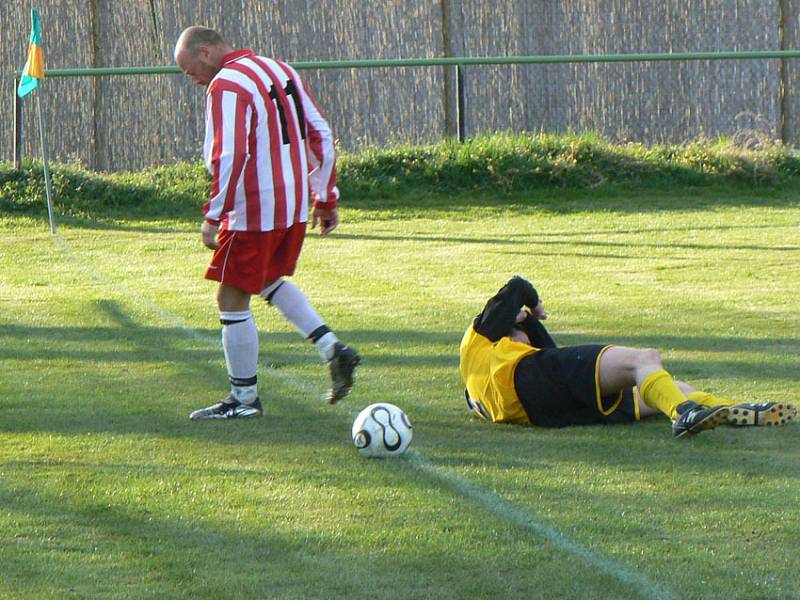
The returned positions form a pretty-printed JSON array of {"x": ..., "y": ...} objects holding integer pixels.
[{"x": 382, "y": 430}]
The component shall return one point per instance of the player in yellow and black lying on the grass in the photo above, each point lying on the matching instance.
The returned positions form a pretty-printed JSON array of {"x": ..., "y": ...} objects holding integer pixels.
[{"x": 513, "y": 372}]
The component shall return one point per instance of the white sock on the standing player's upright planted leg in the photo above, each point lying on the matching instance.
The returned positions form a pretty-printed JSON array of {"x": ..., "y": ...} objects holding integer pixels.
[{"x": 240, "y": 344}]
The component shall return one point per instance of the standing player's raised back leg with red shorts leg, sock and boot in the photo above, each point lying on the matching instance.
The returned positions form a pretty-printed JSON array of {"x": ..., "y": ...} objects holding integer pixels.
[{"x": 296, "y": 308}]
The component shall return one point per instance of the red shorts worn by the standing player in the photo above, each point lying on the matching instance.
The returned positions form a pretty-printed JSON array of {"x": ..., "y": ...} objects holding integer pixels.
[{"x": 247, "y": 260}]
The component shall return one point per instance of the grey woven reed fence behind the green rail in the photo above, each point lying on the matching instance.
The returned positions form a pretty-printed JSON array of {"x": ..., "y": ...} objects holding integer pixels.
[{"x": 130, "y": 122}]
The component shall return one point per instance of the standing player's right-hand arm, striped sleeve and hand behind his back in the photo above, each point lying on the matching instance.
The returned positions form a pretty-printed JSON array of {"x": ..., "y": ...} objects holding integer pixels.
[{"x": 321, "y": 157}]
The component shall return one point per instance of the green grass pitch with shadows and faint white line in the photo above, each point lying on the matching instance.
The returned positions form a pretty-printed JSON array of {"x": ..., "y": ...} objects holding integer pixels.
[{"x": 109, "y": 338}]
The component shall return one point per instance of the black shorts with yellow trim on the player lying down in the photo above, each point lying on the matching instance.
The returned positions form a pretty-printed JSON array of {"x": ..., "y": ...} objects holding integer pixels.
[{"x": 559, "y": 387}]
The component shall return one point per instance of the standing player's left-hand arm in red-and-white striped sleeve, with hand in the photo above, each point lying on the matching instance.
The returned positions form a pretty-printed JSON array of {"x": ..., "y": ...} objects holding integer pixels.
[{"x": 228, "y": 112}]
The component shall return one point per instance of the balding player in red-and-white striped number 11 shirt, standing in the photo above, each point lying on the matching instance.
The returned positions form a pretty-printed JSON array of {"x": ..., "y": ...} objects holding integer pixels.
[{"x": 269, "y": 150}]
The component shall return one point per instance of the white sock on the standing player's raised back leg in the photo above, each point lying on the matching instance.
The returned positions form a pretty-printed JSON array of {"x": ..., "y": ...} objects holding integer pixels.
[{"x": 295, "y": 307}]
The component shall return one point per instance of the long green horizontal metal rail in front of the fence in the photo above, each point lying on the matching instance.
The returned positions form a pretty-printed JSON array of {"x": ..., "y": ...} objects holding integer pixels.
[{"x": 457, "y": 61}]
